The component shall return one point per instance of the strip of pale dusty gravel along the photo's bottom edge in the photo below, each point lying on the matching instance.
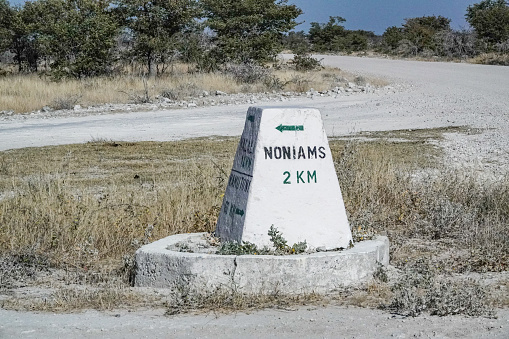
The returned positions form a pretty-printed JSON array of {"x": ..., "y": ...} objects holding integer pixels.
[{"x": 304, "y": 322}]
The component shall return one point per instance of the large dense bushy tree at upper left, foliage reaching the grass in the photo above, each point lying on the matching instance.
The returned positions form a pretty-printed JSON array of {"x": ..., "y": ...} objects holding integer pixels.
[{"x": 77, "y": 36}]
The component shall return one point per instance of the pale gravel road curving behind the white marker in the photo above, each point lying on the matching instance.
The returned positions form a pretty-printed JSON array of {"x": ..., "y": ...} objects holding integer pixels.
[{"x": 432, "y": 95}]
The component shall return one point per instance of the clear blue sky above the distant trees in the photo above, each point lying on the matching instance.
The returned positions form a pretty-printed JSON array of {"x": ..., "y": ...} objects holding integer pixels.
[{"x": 376, "y": 15}]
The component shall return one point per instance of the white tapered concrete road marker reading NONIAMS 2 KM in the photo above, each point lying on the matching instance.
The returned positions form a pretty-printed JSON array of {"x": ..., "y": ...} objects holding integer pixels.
[{"x": 283, "y": 175}]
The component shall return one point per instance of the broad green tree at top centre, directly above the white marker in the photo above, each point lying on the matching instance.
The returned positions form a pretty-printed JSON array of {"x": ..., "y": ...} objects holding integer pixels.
[{"x": 249, "y": 30}]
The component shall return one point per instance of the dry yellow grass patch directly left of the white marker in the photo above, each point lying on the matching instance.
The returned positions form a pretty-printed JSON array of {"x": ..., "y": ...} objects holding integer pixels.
[{"x": 82, "y": 204}]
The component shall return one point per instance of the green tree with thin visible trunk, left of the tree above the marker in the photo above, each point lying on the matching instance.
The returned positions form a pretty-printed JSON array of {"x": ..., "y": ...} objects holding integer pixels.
[{"x": 154, "y": 25}]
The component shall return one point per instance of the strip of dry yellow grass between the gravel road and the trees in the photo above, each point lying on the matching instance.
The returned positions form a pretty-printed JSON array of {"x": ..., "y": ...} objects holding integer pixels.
[{"x": 26, "y": 93}]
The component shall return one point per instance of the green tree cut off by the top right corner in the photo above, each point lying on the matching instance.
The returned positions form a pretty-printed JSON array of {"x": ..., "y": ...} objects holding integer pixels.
[{"x": 490, "y": 20}]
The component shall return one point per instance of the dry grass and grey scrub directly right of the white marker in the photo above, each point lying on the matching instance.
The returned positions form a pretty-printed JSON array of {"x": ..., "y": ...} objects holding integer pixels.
[{"x": 426, "y": 208}]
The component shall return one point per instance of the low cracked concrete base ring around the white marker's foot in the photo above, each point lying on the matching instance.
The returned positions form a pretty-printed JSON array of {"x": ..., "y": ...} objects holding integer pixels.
[{"x": 188, "y": 260}]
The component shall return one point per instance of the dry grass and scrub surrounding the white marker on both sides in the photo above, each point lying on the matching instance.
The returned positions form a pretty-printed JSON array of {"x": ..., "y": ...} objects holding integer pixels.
[{"x": 86, "y": 209}]
